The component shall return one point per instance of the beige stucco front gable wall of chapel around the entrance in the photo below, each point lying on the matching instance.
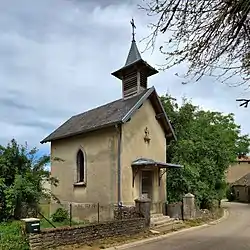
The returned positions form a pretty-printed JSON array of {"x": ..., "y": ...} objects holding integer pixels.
[{"x": 134, "y": 146}]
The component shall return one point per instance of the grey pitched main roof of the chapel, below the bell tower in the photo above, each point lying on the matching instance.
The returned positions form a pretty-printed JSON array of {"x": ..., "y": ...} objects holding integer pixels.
[{"x": 118, "y": 111}]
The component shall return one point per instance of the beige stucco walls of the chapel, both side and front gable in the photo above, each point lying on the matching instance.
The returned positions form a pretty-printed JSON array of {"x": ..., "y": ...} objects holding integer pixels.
[{"x": 100, "y": 150}]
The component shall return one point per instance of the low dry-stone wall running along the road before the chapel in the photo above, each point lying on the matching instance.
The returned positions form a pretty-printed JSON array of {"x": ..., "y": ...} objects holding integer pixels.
[{"x": 51, "y": 238}]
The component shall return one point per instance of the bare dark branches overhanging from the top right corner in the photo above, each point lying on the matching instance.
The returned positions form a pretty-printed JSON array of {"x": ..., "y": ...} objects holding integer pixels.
[{"x": 212, "y": 36}]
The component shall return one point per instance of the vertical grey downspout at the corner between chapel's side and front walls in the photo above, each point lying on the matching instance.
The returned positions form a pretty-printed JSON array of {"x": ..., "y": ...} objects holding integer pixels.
[{"x": 119, "y": 130}]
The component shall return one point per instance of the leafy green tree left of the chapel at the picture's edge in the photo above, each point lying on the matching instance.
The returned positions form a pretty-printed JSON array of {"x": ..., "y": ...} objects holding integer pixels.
[{"x": 21, "y": 176}]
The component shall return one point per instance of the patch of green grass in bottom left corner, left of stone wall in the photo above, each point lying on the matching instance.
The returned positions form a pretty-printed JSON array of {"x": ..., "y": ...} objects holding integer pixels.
[{"x": 12, "y": 236}]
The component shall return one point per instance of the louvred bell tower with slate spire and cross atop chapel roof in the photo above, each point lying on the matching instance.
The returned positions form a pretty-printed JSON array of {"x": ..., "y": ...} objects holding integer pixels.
[{"x": 134, "y": 74}]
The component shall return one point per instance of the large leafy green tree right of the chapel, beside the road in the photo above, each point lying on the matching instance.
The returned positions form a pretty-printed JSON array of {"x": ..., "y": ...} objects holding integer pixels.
[{"x": 207, "y": 143}]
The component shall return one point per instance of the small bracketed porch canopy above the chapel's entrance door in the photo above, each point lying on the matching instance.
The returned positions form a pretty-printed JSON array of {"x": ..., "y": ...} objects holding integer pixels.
[{"x": 145, "y": 163}]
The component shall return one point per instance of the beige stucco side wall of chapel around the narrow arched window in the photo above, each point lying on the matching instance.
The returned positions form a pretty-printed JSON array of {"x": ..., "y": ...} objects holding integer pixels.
[{"x": 100, "y": 150}]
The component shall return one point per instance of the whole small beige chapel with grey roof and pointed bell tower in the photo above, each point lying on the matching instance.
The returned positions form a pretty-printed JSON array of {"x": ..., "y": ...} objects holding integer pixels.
[{"x": 115, "y": 153}]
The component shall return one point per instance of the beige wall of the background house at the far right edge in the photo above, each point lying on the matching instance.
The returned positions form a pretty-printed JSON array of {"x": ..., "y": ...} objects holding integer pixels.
[{"x": 236, "y": 171}]
